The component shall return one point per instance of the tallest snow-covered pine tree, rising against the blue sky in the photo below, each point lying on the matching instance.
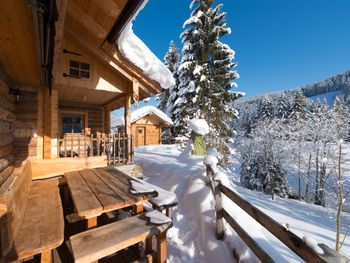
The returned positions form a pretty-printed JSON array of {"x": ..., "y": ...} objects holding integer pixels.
[{"x": 206, "y": 75}]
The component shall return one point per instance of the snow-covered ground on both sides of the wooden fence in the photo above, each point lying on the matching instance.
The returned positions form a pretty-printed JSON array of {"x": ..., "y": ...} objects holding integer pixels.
[{"x": 192, "y": 238}]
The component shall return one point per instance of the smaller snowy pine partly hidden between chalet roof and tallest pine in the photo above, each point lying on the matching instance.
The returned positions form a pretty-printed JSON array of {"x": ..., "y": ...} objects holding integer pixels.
[{"x": 168, "y": 96}]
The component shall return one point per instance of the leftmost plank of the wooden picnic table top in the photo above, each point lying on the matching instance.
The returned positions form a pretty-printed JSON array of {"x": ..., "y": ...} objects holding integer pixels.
[{"x": 85, "y": 202}]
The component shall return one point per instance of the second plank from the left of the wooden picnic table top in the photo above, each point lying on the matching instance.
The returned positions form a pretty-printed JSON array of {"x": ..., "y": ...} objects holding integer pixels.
[{"x": 106, "y": 196}]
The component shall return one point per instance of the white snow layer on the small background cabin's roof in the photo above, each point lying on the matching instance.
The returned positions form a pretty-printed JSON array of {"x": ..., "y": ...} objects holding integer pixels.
[{"x": 140, "y": 113}]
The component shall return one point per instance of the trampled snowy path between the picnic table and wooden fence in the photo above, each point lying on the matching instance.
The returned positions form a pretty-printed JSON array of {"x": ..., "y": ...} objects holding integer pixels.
[{"x": 192, "y": 238}]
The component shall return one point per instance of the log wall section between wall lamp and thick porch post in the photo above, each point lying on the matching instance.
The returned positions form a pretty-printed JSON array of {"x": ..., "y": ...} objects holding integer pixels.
[{"x": 25, "y": 126}]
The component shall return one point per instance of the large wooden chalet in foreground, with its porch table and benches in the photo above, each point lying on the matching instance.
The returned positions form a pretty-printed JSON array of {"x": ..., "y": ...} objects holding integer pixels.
[{"x": 61, "y": 74}]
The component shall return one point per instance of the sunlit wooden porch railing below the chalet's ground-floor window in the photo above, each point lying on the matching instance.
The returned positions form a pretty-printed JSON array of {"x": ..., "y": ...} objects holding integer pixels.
[{"x": 114, "y": 146}]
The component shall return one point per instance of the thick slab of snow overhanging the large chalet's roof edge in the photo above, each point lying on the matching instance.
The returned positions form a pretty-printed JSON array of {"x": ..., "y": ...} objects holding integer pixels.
[{"x": 133, "y": 48}]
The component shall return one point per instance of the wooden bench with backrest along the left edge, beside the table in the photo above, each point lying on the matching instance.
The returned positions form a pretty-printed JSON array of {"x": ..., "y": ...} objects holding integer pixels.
[{"x": 31, "y": 217}]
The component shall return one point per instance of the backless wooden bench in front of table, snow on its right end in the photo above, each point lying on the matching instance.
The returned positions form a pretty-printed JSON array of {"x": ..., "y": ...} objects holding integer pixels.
[{"x": 106, "y": 240}]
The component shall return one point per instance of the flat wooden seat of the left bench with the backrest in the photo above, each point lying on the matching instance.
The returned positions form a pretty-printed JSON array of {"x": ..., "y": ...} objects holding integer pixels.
[{"x": 42, "y": 227}]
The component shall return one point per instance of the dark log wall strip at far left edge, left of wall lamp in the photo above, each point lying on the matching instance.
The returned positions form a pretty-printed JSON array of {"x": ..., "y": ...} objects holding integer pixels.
[{"x": 7, "y": 123}]
